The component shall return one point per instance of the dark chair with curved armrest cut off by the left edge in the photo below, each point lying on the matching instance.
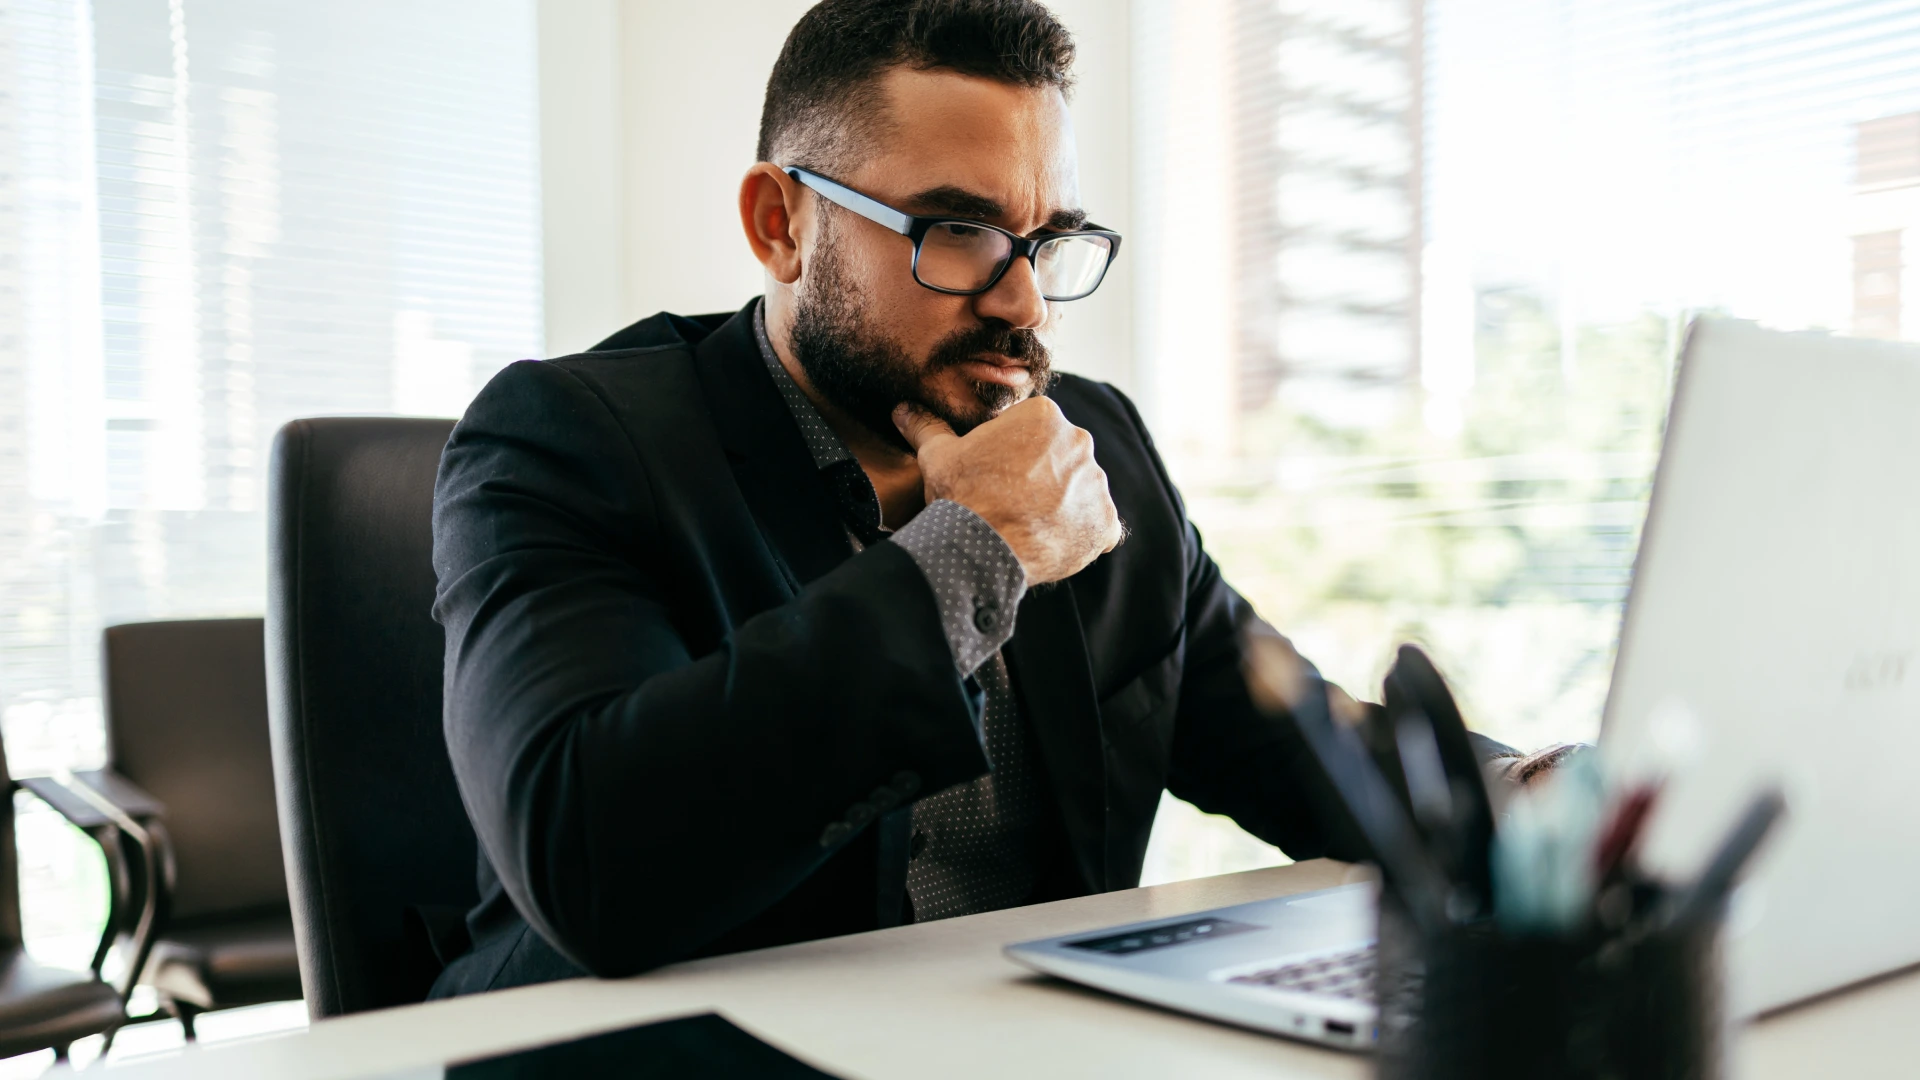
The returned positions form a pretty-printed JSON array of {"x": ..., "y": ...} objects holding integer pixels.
[{"x": 47, "y": 1006}]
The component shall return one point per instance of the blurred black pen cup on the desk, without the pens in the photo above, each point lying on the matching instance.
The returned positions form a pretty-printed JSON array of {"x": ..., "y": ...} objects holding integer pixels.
[{"x": 1641, "y": 1002}]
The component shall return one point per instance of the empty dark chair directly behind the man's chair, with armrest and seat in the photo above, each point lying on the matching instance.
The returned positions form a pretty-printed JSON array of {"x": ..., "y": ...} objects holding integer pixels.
[{"x": 187, "y": 733}]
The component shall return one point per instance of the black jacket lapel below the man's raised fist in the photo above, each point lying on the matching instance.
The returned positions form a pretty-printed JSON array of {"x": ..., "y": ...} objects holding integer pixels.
[{"x": 1053, "y": 677}]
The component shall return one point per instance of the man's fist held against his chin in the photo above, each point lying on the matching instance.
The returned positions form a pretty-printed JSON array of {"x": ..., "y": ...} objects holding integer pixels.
[{"x": 1030, "y": 476}]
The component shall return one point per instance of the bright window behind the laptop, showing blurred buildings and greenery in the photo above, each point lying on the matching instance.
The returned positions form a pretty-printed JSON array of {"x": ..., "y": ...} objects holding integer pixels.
[{"x": 1426, "y": 274}]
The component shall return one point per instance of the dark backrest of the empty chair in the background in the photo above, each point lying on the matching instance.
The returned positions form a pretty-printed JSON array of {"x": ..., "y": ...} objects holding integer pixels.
[{"x": 187, "y": 720}]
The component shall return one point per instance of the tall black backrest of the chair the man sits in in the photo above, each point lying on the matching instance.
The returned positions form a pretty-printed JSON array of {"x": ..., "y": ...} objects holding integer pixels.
[{"x": 370, "y": 814}]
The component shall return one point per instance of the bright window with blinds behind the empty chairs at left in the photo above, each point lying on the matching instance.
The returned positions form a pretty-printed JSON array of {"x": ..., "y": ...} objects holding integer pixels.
[{"x": 218, "y": 216}]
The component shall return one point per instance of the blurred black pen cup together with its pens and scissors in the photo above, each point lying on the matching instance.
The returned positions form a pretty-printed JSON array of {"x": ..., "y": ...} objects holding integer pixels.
[{"x": 1627, "y": 991}]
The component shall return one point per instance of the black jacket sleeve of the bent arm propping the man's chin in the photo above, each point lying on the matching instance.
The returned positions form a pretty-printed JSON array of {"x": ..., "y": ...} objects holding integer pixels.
[{"x": 635, "y": 798}]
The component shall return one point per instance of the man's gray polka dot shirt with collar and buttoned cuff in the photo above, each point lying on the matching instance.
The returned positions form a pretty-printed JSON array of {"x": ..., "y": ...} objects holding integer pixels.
[{"x": 974, "y": 845}]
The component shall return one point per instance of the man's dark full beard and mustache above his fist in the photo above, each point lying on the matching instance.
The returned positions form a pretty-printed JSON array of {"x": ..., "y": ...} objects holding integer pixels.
[{"x": 865, "y": 374}]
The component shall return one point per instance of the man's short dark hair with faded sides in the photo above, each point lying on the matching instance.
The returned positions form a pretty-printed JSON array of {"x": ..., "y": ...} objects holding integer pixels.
[{"x": 823, "y": 95}]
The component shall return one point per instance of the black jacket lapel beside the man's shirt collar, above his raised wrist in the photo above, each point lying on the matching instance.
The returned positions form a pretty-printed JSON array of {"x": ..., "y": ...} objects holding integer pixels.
[{"x": 773, "y": 468}]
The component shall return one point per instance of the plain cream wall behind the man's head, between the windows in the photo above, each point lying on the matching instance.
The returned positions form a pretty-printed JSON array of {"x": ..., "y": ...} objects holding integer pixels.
[{"x": 650, "y": 116}]
